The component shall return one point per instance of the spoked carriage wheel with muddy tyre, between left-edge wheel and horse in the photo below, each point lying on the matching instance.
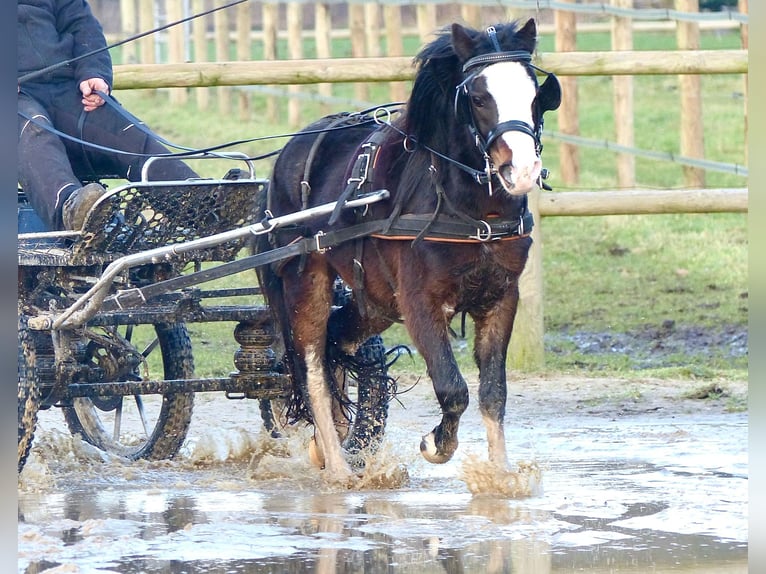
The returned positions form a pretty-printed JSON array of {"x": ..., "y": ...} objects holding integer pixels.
[{"x": 147, "y": 426}]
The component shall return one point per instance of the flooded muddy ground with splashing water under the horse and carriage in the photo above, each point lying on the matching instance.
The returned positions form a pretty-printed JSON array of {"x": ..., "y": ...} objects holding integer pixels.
[{"x": 609, "y": 476}]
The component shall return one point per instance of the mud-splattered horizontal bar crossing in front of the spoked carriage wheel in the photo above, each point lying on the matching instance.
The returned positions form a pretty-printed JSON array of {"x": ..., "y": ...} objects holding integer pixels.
[{"x": 264, "y": 385}]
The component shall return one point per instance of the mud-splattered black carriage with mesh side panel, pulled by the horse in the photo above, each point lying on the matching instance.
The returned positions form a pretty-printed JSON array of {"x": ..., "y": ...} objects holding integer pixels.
[{"x": 104, "y": 315}]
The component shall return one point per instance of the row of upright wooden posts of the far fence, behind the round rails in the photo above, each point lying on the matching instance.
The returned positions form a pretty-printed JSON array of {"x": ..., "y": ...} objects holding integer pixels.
[{"x": 285, "y": 31}]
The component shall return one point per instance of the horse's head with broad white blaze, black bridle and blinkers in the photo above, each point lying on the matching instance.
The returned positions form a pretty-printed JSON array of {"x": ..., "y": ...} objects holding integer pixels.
[{"x": 501, "y": 101}]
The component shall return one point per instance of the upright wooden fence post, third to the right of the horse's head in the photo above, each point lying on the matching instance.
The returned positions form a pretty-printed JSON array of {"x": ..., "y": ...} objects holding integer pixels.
[{"x": 692, "y": 124}]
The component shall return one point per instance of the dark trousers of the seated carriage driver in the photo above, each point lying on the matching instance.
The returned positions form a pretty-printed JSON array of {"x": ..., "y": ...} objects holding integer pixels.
[{"x": 51, "y": 168}]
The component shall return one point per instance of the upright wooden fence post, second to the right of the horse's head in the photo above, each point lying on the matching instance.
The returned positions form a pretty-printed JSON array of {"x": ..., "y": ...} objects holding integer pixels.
[{"x": 622, "y": 39}]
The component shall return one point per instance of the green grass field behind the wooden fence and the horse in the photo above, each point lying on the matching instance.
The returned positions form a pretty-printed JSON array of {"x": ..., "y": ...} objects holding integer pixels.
[{"x": 659, "y": 295}]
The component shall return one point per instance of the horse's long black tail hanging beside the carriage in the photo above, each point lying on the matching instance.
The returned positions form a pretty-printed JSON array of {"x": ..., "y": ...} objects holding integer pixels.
[{"x": 272, "y": 288}]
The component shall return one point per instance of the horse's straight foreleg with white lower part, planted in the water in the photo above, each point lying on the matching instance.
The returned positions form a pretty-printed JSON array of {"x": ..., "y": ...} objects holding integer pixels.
[{"x": 493, "y": 334}]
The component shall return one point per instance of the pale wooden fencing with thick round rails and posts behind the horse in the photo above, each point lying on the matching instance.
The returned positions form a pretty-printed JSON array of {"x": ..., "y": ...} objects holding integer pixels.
[{"x": 367, "y": 64}]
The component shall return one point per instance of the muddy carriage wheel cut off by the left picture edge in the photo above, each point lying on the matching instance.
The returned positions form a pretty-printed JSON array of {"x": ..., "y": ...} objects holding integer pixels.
[{"x": 28, "y": 392}]
